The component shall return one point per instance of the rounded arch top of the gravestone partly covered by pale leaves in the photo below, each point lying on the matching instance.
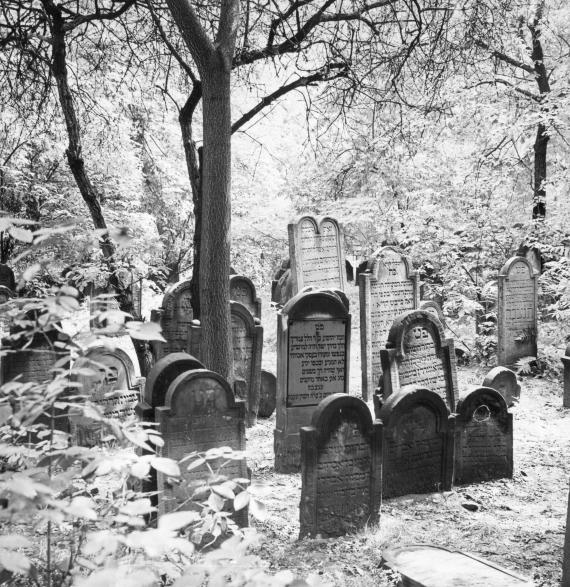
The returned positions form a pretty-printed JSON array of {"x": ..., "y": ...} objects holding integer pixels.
[{"x": 205, "y": 398}]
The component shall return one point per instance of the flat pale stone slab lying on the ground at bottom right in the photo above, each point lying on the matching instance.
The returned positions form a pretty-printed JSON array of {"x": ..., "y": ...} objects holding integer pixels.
[{"x": 422, "y": 565}]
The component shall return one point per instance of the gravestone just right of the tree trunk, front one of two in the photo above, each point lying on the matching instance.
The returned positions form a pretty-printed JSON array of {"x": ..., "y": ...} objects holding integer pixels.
[{"x": 247, "y": 344}]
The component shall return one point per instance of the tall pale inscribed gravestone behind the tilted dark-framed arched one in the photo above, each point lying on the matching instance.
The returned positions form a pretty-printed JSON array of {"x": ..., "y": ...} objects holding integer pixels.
[{"x": 388, "y": 287}]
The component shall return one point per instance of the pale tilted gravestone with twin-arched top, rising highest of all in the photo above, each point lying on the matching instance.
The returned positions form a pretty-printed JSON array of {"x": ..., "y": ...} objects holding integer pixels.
[{"x": 316, "y": 250}]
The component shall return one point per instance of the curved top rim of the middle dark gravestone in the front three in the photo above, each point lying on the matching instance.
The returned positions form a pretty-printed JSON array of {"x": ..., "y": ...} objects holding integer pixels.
[{"x": 399, "y": 404}]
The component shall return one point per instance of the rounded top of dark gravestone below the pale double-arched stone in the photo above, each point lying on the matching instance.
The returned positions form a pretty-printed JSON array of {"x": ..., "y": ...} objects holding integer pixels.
[{"x": 317, "y": 303}]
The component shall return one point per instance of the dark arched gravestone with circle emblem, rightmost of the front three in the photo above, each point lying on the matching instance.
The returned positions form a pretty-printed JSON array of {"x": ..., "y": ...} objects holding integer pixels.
[{"x": 483, "y": 437}]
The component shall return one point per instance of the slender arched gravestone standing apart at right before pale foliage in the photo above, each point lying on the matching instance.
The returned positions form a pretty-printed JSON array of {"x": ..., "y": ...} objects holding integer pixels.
[{"x": 516, "y": 312}]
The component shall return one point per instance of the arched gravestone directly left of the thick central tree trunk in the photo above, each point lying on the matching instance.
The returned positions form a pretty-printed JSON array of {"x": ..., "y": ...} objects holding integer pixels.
[{"x": 175, "y": 317}]
